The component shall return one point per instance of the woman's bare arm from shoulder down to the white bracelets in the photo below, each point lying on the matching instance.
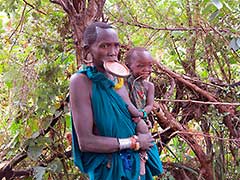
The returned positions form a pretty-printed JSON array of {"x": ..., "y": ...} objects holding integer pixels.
[{"x": 80, "y": 99}]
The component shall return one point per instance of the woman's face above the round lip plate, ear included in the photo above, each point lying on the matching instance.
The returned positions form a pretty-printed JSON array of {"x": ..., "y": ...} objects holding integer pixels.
[{"x": 105, "y": 48}]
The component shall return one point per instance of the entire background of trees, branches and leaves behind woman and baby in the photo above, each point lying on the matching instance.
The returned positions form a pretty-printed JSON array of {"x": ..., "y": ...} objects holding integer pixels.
[{"x": 197, "y": 79}]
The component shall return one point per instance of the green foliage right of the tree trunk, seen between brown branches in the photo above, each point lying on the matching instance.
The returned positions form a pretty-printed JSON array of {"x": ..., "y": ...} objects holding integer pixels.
[{"x": 210, "y": 54}]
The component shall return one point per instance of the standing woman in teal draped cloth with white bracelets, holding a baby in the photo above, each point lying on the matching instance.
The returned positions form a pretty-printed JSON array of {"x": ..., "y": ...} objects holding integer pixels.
[{"x": 104, "y": 142}]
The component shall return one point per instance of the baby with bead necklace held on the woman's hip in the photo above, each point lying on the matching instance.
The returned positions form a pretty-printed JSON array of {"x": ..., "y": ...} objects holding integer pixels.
[{"x": 139, "y": 92}]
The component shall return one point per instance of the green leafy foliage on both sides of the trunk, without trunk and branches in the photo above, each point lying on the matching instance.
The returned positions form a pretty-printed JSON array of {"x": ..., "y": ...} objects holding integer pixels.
[{"x": 199, "y": 39}]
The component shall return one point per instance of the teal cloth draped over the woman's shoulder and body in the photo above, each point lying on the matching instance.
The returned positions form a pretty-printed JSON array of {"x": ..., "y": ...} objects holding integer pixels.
[{"x": 112, "y": 119}]
